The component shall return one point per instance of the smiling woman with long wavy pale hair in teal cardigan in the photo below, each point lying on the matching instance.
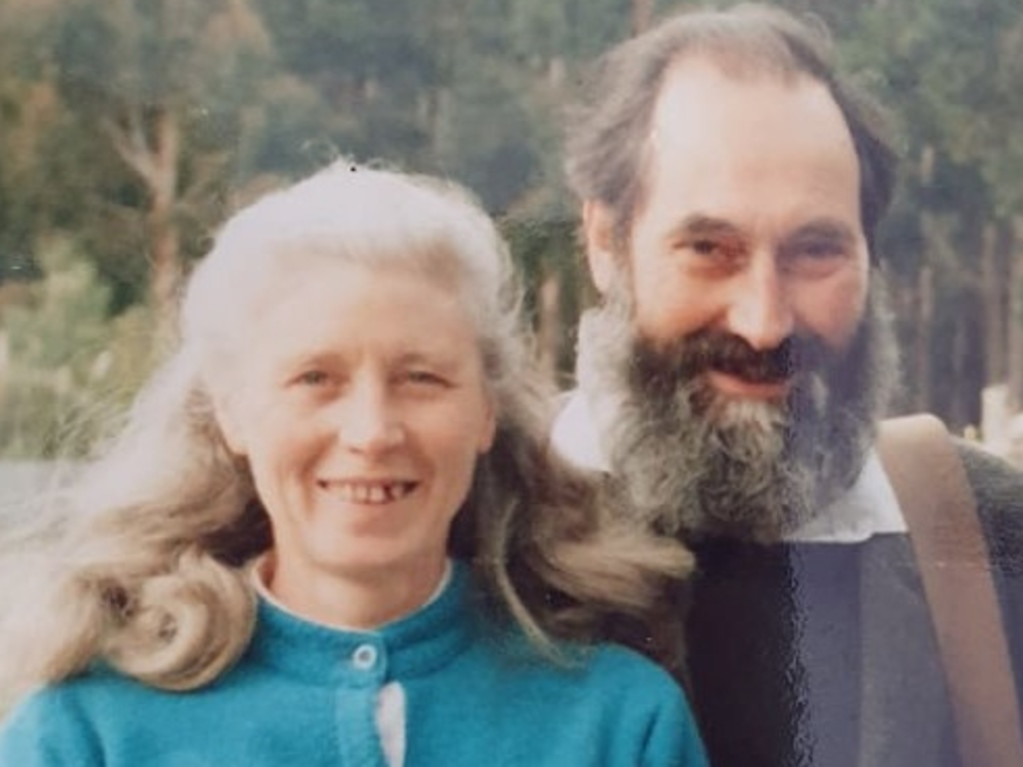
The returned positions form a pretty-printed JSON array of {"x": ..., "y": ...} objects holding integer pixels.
[{"x": 331, "y": 532}]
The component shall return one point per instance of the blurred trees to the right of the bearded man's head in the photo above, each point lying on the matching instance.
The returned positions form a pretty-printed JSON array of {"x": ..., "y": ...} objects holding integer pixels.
[{"x": 949, "y": 67}]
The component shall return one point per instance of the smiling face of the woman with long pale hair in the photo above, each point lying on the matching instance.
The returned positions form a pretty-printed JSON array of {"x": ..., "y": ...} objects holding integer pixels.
[{"x": 362, "y": 409}]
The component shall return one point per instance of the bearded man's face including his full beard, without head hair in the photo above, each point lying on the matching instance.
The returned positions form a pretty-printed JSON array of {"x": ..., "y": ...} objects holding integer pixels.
[{"x": 752, "y": 355}]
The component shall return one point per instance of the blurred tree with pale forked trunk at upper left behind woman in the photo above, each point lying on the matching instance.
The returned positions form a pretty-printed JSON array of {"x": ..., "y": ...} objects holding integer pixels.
[{"x": 162, "y": 85}]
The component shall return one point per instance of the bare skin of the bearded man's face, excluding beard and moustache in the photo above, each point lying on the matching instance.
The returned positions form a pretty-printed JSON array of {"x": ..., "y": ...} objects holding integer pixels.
[{"x": 749, "y": 225}]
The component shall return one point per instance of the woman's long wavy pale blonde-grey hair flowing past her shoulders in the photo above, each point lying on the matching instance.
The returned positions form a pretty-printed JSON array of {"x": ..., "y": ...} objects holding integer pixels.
[{"x": 143, "y": 563}]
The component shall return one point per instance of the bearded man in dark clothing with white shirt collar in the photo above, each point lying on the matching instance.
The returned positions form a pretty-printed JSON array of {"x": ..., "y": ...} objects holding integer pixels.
[{"x": 732, "y": 383}]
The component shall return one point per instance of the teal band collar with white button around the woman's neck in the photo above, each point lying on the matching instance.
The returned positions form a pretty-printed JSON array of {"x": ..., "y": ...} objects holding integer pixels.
[{"x": 414, "y": 646}]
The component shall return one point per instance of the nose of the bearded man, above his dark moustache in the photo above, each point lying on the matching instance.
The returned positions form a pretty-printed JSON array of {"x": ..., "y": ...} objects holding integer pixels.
[{"x": 762, "y": 311}]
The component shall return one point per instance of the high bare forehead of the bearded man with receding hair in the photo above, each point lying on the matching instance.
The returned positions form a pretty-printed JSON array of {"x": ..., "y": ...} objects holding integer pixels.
[{"x": 750, "y": 149}]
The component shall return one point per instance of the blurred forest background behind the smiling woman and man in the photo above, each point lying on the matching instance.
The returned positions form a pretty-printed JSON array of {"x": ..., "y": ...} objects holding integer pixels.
[{"x": 130, "y": 128}]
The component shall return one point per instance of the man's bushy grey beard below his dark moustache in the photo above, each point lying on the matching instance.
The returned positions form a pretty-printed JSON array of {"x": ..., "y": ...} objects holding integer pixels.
[{"x": 742, "y": 469}]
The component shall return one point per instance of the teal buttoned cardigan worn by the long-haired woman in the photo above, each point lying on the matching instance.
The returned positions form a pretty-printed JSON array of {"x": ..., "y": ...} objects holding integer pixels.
[{"x": 306, "y": 695}]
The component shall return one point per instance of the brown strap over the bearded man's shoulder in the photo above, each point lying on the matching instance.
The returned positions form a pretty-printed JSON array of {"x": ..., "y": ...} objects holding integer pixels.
[{"x": 952, "y": 554}]
